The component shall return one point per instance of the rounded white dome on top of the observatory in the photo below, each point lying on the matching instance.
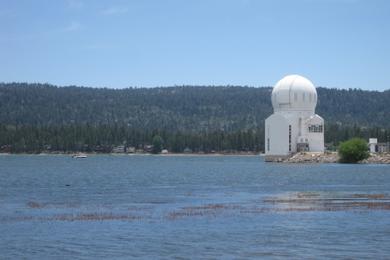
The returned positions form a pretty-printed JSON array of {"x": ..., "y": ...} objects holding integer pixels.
[{"x": 294, "y": 93}]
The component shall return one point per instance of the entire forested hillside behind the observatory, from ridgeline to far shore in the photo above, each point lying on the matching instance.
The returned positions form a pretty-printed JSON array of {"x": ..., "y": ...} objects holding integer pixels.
[{"x": 35, "y": 117}]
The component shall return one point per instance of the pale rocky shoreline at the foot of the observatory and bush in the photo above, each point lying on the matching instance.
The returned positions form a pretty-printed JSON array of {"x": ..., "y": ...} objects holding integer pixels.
[{"x": 332, "y": 157}]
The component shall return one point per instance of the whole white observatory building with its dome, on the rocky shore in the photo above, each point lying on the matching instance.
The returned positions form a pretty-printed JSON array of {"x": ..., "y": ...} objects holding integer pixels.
[{"x": 294, "y": 125}]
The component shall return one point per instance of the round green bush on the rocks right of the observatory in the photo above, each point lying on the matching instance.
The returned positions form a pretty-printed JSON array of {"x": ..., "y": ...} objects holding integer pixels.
[{"x": 353, "y": 150}]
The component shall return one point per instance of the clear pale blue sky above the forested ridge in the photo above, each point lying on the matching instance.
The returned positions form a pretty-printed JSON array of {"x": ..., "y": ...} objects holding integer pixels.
[{"x": 150, "y": 43}]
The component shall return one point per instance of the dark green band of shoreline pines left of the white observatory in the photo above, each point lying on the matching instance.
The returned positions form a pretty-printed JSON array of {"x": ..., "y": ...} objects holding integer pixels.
[{"x": 103, "y": 138}]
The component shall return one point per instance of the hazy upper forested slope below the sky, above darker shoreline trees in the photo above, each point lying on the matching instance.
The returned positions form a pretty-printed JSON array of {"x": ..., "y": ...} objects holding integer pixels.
[{"x": 177, "y": 108}]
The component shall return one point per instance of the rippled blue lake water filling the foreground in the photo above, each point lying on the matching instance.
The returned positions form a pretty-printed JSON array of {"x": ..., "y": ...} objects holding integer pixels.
[{"x": 191, "y": 207}]
